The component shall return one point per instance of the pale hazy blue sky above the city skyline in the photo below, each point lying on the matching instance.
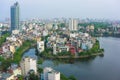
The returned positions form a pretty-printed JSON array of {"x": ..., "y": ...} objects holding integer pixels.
[{"x": 109, "y": 9}]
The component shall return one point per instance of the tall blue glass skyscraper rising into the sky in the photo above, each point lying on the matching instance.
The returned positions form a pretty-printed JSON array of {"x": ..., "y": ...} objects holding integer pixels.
[{"x": 14, "y": 16}]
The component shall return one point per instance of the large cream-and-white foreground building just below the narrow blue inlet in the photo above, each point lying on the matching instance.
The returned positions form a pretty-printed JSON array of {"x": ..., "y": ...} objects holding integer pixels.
[{"x": 27, "y": 64}]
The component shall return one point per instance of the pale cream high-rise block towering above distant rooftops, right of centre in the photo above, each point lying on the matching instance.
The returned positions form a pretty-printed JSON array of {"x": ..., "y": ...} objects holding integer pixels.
[{"x": 73, "y": 24}]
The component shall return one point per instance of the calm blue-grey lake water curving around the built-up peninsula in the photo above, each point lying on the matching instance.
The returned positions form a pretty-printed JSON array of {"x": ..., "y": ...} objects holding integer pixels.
[{"x": 99, "y": 68}]
